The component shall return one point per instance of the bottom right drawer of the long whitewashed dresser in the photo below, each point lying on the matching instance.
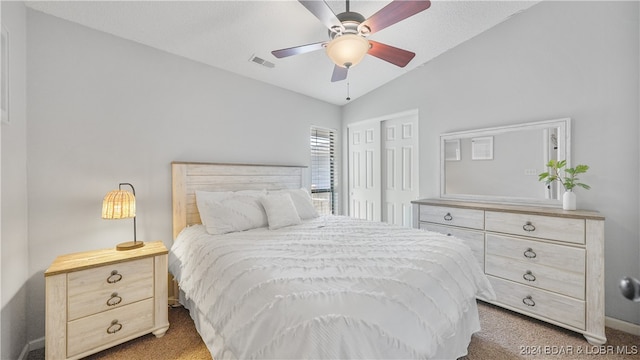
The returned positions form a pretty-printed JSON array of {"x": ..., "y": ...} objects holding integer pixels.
[{"x": 554, "y": 307}]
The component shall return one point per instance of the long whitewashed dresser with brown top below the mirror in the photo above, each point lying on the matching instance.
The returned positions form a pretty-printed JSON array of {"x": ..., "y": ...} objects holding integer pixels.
[{"x": 546, "y": 263}]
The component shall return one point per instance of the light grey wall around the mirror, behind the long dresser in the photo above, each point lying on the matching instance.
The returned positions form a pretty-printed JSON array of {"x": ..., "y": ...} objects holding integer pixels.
[{"x": 555, "y": 60}]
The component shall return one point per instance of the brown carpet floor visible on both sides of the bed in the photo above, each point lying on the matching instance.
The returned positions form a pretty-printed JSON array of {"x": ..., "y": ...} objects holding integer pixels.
[{"x": 505, "y": 335}]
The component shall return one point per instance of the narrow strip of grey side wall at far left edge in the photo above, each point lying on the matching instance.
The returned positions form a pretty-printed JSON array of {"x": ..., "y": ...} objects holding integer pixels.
[{"x": 13, "y": 223}]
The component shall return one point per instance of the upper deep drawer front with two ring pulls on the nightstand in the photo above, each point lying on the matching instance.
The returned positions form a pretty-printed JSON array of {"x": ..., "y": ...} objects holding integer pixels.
[{"x": 106, "y": 287}]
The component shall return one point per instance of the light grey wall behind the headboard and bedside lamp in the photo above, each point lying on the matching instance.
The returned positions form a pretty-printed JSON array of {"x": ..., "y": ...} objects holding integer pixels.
[{"x": 103, "y": 110}]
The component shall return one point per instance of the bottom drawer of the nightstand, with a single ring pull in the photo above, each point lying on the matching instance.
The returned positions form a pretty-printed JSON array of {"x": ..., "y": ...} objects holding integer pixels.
[{"x": 110, "y": 326}]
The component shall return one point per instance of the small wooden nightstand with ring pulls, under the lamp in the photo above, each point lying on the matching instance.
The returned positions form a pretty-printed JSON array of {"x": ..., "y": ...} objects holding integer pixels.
[{"x": 98, "y": 299}]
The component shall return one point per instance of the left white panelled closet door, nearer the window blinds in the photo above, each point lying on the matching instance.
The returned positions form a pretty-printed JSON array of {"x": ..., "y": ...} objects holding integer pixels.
[{"x": 364, "y": 171}]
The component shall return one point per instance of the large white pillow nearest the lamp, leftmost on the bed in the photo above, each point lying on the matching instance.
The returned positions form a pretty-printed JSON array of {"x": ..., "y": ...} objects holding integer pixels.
[{"x": 224, "y": 212}]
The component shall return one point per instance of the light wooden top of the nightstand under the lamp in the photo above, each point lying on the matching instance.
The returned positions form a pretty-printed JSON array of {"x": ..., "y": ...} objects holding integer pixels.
[{"x": 88, "y": 259}]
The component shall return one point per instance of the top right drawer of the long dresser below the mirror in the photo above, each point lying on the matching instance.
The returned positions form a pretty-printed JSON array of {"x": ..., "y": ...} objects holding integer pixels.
[{"x": 542, "y": 227}]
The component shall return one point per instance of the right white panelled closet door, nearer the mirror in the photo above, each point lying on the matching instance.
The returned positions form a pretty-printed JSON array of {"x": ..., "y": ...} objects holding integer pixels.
[{"x": 399, "y": 169}]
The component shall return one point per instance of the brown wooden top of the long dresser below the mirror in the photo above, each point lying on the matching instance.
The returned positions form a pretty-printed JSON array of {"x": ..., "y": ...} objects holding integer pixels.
[{"x": 534, "y": 210}]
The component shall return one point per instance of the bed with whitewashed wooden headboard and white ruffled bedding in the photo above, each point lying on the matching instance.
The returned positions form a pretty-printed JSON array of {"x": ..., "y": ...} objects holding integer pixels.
[{"x": 315, "y": 286}]
